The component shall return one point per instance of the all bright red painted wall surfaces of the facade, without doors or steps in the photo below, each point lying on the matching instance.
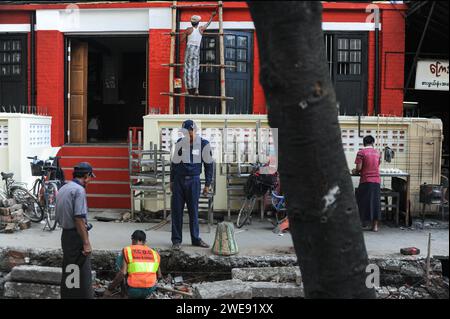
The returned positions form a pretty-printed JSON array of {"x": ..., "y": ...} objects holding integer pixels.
[{"x": 50, "y": 59}]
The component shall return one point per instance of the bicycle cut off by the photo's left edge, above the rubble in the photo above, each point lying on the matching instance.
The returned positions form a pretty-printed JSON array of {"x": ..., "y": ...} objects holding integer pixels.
[{"x": 30, "y": 205}]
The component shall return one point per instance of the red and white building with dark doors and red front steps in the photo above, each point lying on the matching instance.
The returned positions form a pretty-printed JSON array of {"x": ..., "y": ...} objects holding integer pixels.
[{"x": 80, "y": 60}]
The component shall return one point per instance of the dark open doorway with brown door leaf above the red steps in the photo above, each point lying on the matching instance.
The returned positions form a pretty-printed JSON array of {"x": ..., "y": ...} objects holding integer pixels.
[{"x": 106, "y": 82}]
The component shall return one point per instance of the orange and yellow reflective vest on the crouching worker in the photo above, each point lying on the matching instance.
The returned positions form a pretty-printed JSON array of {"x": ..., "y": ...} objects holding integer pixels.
[{"x": 143, "y": 264}]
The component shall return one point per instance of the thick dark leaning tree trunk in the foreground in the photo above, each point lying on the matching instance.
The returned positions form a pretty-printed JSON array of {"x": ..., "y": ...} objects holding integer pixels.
[{"x": 323, "y": 215}]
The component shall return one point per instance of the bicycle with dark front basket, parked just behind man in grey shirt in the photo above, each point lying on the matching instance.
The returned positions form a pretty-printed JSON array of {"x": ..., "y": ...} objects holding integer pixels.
[{"x": 45, "y": 188}]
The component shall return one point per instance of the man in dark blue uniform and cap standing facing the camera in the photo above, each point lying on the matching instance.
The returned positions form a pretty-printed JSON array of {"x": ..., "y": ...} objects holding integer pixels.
[{"x": 191, "y": 152}]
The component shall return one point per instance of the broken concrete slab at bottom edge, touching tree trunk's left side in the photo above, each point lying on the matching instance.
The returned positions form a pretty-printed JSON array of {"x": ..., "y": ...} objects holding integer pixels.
[{"x": 276, "y": 290}]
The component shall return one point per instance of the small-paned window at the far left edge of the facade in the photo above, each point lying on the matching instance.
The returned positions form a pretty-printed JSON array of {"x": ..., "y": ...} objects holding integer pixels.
[{"x": 10, "y": 58}]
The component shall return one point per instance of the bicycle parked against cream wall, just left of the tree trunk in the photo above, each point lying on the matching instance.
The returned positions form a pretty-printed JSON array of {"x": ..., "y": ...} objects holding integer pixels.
[{"x": 257, "y": 186}]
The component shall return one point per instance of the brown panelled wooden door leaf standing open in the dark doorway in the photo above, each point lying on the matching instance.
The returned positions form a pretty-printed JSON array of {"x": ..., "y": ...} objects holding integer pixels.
[{"x": 78, "y": 92}]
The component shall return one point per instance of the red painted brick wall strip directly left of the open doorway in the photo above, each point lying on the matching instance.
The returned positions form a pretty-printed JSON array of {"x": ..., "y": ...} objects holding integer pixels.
[{"x": 50, "y": 79}]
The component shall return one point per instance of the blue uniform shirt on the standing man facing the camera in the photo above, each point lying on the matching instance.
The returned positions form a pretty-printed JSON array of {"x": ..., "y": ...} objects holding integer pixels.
[{"x": 193, "y": 167}]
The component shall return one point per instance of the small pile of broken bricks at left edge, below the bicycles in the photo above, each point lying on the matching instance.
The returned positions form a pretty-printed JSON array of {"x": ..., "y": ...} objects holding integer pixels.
[{"x": 12, "y": 217}]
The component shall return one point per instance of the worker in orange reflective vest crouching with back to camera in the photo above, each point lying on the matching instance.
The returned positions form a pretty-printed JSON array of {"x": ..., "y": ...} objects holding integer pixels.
[{"x": 140, "y": 265}]
